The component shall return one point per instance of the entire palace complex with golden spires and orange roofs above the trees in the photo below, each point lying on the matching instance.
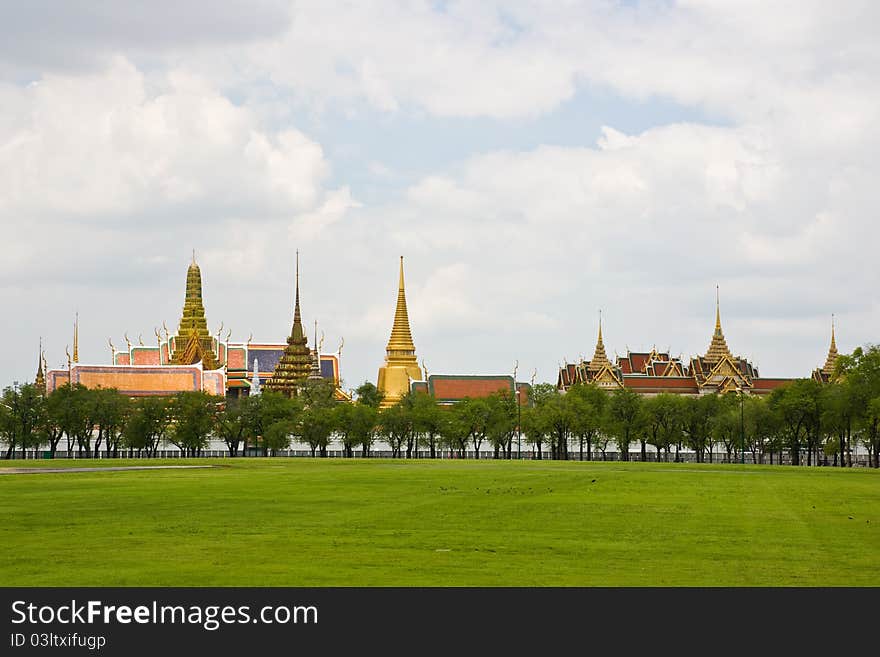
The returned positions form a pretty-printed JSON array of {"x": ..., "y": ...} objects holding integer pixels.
[{"x": 193, "y": 359}]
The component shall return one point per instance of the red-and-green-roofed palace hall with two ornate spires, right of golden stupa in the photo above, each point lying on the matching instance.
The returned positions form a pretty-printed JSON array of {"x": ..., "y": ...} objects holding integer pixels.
[{"x": 653, "y": 372}]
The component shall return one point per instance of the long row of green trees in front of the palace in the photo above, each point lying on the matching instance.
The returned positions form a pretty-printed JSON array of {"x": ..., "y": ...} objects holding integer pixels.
[{"x": 805, "y": 421}]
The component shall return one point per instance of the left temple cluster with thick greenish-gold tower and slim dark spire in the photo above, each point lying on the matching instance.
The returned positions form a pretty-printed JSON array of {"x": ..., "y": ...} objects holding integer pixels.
[{"x": 194, "y": 359}]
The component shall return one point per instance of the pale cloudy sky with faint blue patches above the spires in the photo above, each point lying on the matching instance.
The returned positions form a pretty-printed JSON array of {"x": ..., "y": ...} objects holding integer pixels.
[{"x": 534, "y": 163}]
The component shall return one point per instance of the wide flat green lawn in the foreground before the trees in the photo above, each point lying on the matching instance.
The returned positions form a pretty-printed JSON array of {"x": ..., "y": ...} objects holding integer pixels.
[{"x": 334, "y": 522}]
